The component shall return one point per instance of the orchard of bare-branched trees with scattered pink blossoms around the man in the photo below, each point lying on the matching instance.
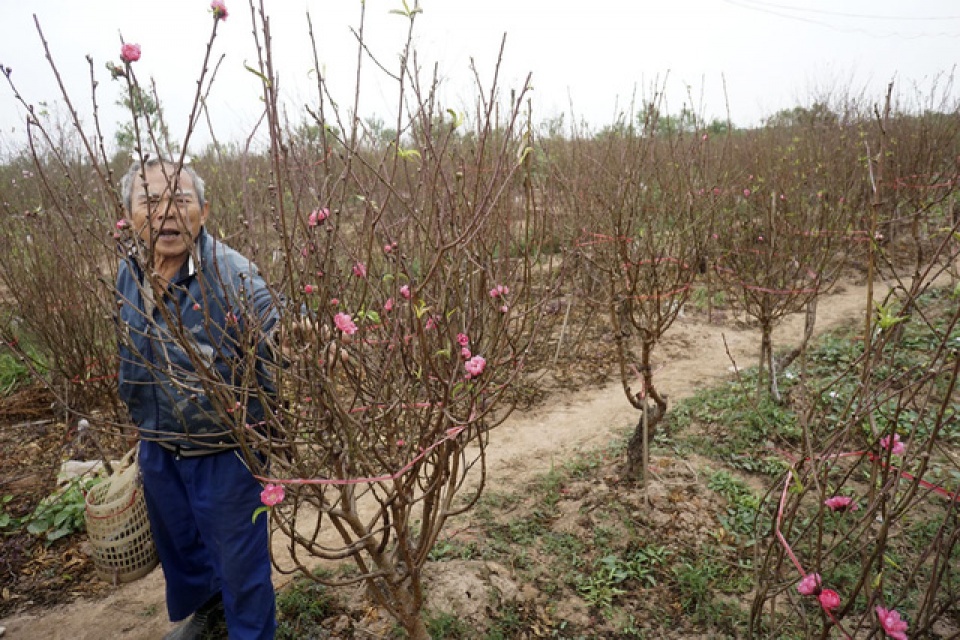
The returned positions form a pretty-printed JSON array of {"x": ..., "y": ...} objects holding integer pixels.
[{"x": 534, "y": 379}]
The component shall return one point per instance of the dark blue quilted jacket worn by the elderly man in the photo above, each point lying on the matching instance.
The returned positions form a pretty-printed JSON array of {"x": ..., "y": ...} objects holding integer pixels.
[{"x": 195, "y": 359}]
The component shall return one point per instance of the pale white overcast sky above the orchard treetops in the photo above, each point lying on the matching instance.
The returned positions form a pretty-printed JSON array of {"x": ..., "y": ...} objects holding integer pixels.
[{"x": 588, "y": 58}]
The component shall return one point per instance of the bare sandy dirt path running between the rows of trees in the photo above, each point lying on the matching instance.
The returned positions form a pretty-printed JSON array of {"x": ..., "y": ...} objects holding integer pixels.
[{"x": 527, "y": 445}]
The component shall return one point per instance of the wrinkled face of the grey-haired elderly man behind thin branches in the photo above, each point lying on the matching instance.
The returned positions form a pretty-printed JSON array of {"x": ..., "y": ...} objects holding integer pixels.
[{"x": 166, "y": 220}]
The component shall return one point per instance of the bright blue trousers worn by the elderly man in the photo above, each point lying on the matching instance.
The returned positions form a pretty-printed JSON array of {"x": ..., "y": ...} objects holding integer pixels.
[{"x": 200, "y": 511}]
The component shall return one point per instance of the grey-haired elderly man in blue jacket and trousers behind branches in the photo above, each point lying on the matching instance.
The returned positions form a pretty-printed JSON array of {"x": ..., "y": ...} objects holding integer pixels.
[{"x": 194, "y": 321}]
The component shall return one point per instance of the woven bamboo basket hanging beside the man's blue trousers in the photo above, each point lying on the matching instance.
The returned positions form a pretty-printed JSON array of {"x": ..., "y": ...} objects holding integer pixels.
[{"x": 117, "y": 525}]
